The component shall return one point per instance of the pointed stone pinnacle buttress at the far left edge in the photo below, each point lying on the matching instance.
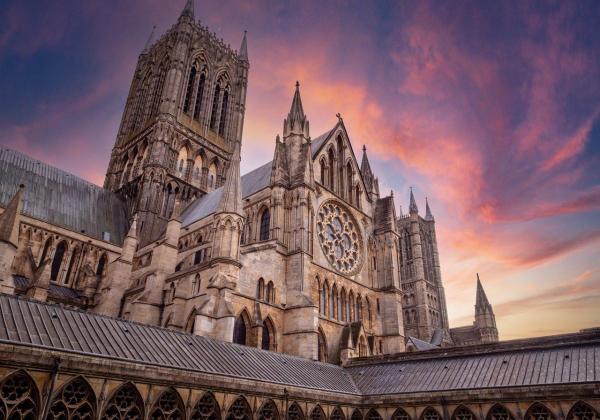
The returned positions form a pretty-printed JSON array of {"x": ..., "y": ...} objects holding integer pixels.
[{"x": 9, "y": 236}]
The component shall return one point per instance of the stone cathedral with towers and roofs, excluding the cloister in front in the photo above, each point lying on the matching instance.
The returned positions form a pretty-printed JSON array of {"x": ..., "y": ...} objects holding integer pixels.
[{"x": 302, "y": 255}]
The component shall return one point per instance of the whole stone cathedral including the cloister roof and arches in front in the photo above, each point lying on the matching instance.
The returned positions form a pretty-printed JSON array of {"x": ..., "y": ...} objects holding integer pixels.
[{"x": 183, "y": 289}]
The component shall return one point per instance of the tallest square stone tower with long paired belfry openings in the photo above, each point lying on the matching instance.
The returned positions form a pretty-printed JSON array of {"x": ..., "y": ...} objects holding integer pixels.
[{"x": 183, "y": 115}]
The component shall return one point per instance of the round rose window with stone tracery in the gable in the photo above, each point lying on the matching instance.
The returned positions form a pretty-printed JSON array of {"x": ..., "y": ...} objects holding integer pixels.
[{"x": 339, "y": 237}]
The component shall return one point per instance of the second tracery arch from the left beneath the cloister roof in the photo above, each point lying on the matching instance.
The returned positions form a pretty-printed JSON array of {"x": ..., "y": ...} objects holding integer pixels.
[{"x": 75, "y": 401}]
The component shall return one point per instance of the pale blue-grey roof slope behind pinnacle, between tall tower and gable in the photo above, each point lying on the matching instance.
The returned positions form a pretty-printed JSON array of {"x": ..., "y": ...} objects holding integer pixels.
[{"x": 252, "y": 182}]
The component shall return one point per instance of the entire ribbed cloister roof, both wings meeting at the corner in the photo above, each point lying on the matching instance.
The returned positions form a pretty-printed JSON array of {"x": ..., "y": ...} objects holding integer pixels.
[{"x": 35, "y": 324}]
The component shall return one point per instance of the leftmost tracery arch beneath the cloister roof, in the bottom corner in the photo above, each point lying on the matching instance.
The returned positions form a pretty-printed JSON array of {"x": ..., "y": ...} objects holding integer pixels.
[{"x": 19, "y": 398}]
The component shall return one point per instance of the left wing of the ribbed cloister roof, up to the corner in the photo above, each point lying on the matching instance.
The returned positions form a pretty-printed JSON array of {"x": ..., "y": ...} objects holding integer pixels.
[{"x": 37, "y": 324}]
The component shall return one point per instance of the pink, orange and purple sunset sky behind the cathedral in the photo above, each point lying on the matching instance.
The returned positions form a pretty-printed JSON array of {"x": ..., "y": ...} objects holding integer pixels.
[{"x": 490, "y": 109}]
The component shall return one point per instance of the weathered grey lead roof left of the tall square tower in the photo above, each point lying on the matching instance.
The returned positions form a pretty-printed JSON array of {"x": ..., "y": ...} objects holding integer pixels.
[{"x": 61, "y": 198}]
